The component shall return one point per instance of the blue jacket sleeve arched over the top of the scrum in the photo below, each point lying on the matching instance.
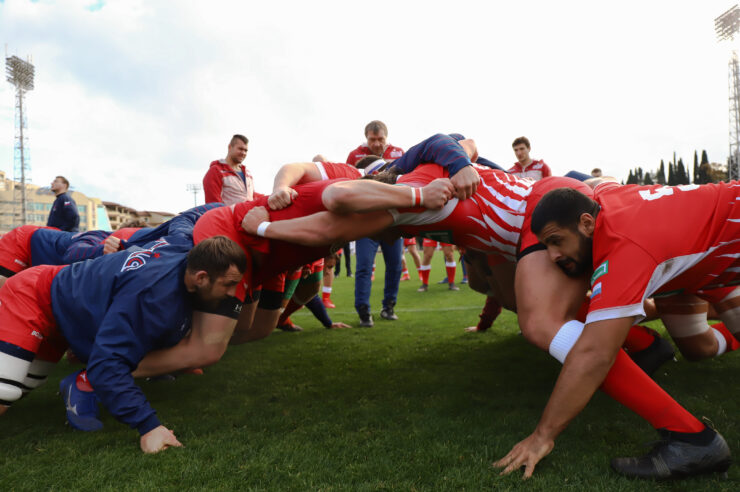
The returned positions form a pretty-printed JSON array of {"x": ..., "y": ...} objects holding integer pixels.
[{"x": 440, "y": 149}]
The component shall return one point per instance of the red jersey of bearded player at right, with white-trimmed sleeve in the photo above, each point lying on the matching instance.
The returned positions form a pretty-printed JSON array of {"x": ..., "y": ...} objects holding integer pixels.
[{"x": 652, "y": 240}]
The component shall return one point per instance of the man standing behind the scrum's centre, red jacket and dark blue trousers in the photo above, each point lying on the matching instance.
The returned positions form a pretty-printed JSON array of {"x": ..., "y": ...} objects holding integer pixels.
[{"x": 376, "y": 133}]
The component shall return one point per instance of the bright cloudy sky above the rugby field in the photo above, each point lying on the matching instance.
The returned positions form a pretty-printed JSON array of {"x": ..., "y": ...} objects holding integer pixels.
[{"x": 134, "y": 98}]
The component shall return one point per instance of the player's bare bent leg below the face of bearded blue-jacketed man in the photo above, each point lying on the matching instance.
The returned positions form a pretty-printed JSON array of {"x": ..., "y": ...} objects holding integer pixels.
[{"x": 204, "y": 345}]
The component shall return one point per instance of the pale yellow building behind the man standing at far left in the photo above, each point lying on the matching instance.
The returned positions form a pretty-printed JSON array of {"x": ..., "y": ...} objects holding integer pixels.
[{"x": 39, "y": 202}]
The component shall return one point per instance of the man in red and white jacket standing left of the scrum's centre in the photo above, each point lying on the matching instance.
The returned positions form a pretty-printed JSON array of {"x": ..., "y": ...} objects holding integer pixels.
[{"x": 227, "y": 180}]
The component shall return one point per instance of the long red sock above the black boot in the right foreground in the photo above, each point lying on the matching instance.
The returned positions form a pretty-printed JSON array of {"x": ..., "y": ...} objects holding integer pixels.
[{"x": 631, "y": 387}]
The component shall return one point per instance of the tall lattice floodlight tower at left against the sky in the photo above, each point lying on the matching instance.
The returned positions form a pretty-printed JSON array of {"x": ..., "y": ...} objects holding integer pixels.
[{"x": 20, "y": 74}]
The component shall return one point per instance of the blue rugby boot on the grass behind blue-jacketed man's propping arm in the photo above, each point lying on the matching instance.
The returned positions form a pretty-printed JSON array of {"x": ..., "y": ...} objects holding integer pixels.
[{"x": 81, "y": 402}]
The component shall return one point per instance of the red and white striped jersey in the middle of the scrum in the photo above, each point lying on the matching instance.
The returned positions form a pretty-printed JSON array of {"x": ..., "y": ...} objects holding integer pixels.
[{"x": 490, "y": 221}]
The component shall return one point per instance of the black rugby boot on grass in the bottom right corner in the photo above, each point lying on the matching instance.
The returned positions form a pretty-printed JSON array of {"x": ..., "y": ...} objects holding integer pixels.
[{"x": 674, "y": 457}]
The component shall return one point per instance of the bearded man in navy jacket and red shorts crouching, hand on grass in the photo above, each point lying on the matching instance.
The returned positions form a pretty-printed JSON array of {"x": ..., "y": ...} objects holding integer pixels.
[{"x": 111, "y": 312}]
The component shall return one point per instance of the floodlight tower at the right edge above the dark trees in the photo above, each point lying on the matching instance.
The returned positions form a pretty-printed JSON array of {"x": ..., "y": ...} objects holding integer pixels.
[{"x": 726, "y": 26}]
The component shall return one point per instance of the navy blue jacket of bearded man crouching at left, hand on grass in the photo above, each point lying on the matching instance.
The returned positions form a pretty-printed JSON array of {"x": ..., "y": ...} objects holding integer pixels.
[{"x": 116, "y": 309}]
